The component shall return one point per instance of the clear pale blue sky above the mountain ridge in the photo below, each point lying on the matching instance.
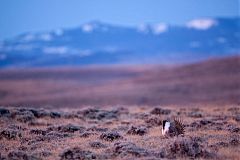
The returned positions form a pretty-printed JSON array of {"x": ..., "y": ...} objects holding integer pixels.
[{"x": 17, "y": 16}]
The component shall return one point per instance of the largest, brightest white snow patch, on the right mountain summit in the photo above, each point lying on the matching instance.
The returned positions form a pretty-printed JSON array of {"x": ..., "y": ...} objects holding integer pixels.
[{"x": 201, "y": 24}]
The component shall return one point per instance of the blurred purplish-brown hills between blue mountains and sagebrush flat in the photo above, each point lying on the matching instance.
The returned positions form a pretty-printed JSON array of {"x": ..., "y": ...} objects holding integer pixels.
[{"x": 215, "y": 81}]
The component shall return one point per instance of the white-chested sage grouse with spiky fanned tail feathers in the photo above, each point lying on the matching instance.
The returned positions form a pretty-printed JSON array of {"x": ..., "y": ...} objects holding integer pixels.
[{"x": 172, "y": 128}]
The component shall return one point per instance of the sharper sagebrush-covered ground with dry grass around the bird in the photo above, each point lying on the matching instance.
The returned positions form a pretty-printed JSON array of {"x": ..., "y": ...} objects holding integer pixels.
[{"x": 211, "y": 132}]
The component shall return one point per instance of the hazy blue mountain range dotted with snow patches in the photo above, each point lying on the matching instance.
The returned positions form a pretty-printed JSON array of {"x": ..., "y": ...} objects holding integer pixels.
[{"x": 100, "y": 43}]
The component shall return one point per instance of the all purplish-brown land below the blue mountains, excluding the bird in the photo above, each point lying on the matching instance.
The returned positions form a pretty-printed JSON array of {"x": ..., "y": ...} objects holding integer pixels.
[{"x": 116, "y": 112}]
